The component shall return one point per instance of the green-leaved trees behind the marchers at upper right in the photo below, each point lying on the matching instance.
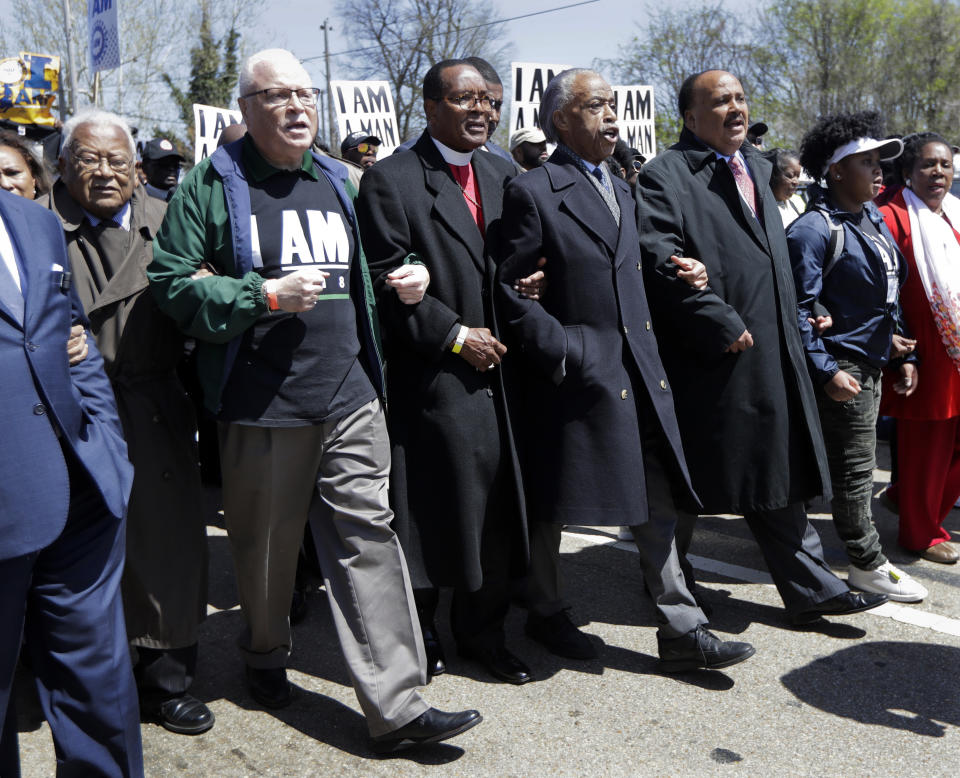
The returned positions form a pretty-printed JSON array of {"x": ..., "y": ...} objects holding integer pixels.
[{"x": 804, "y": 58}]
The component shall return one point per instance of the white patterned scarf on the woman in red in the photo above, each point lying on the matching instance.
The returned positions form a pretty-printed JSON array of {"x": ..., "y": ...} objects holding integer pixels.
[{"x": 937, "y": 255}]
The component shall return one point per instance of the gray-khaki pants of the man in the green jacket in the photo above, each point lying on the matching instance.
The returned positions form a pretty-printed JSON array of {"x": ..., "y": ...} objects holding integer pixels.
[{"x": 336, "y": 473}]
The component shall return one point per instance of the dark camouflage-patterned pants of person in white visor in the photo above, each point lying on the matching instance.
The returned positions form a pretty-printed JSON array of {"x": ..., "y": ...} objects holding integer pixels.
[{"x": 850, "y": 435}]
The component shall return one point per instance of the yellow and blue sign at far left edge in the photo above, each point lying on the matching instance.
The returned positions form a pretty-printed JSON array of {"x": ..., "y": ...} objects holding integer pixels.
[{"x": 29, "y": 85}]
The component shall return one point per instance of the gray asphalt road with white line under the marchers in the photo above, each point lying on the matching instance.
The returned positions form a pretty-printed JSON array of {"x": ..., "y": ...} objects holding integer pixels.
[{"x": 871, "y": 694}]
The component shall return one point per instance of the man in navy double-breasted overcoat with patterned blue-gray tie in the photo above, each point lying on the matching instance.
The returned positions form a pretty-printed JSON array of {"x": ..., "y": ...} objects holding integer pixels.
[{"x": 598, "y": 435}]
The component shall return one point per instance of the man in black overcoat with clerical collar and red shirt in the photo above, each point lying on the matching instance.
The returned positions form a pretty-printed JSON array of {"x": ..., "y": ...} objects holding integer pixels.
[{"x": 455, "y": 485}]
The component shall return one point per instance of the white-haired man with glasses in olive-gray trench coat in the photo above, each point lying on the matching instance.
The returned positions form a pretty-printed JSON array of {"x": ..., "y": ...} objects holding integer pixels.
[{"x": 109, "y": 224}]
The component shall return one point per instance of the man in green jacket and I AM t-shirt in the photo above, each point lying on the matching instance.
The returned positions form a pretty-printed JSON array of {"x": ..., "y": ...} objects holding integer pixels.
[{"x": 259, "y": 259}]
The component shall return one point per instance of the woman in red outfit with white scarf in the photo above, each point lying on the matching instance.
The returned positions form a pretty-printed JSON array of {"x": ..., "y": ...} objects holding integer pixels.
[{"x": 924, "y": 218}]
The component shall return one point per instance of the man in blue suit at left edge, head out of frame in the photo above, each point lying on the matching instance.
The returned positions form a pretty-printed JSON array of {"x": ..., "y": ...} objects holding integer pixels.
[{"x": 64, "y": 484}]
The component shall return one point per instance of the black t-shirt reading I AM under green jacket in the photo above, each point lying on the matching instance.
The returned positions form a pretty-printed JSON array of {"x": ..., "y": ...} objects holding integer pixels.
[{"x": 298, "y": 368}]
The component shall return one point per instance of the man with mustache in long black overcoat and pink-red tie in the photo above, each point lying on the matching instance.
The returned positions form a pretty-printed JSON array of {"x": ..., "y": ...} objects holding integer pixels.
[{"x": 744, "y": 401}]
